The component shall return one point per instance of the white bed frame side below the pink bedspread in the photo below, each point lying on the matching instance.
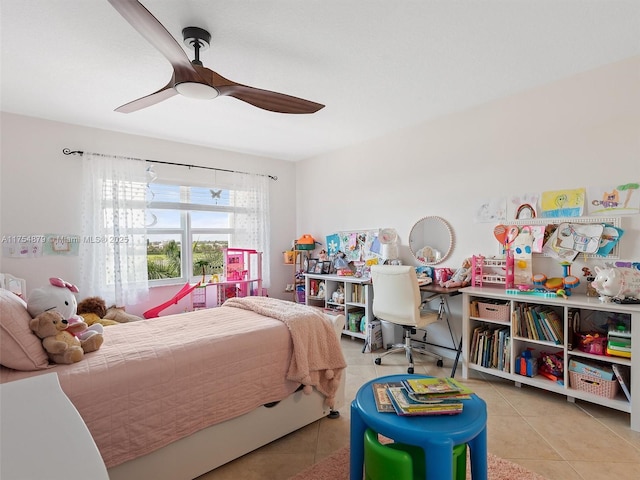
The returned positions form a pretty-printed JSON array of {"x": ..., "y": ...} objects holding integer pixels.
[{"x": 212, "y": 447}]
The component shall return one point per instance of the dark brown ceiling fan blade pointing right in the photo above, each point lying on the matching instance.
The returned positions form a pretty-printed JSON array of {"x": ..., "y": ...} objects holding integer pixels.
[{"x": 265, "y": 99}]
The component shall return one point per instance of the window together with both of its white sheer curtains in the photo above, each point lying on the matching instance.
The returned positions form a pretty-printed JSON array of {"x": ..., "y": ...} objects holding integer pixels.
[{"x": 164, "y": 227}]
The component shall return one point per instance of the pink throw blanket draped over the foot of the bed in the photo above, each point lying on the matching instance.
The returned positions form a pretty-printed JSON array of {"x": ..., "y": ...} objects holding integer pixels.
[{"x": 317, "y": 359}]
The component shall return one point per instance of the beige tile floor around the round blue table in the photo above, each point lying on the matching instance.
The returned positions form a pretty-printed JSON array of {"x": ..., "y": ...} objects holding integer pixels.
[{"x": 536, "y": 429}]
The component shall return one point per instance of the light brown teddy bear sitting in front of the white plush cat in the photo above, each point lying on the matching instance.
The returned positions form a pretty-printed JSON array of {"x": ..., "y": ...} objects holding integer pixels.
[{"x": 60, "y": 345}]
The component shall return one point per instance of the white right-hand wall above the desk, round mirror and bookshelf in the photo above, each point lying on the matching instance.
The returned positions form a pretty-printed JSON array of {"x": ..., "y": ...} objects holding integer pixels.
[{"x": 580, "y": 132}]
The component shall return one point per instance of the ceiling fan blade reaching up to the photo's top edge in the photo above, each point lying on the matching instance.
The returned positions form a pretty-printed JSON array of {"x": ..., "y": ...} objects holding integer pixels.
[{"x": 150, "y": 28}]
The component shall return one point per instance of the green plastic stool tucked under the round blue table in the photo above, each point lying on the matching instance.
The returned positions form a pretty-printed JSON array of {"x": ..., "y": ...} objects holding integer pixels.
[{"x": 403, "y": 462}]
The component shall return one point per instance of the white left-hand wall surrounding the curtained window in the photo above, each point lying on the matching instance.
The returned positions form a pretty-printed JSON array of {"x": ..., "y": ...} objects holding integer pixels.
[{"x": 40, "y": 191}]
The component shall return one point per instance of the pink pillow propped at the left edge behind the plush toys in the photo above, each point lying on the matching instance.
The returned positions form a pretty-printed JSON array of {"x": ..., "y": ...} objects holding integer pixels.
[{"x": 20, "y": 349}]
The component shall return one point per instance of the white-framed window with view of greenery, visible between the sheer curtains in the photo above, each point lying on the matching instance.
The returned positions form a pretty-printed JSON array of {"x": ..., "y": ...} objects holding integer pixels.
[{"x": 179, "y": 216}]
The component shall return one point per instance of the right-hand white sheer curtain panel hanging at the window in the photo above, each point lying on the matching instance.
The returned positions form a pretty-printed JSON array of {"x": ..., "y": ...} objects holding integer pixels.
[{"x": 251, "y": 222}]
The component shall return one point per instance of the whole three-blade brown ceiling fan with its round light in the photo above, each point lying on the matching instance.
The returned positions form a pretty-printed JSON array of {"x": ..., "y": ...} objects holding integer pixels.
[{"x": 191, "y": 78}]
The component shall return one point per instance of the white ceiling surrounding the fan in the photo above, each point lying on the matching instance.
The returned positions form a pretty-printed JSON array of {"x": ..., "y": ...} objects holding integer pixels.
[{"x": 377, "y": 65}]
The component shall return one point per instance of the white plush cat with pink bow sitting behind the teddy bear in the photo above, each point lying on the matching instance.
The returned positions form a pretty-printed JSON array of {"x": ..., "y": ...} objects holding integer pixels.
[{"x": 59, "y": 296}]
